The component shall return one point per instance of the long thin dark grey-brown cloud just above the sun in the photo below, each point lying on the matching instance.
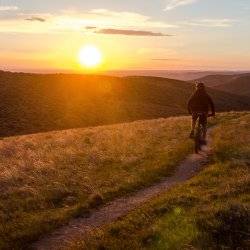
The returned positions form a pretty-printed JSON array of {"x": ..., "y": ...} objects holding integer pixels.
[{"x": 129, "y": 32}]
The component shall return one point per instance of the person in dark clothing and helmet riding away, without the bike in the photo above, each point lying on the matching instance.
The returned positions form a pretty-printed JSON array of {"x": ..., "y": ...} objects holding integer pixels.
[{"x": 200, "y": 102}]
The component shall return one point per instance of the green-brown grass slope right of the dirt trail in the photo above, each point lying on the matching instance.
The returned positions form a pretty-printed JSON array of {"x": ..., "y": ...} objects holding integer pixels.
[{"x": 211, "y": 211}]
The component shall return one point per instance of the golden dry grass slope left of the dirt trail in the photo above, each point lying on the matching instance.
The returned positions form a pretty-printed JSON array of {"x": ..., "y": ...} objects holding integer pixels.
[{"x": 46, "y": 179}]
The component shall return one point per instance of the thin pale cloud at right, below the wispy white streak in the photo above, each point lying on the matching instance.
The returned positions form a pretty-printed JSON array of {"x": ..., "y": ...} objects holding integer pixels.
[{"x": 214, "y": 23}]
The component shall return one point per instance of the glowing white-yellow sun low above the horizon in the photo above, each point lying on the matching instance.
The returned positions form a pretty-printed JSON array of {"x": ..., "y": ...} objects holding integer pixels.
[{"x": 90, "y": 56}]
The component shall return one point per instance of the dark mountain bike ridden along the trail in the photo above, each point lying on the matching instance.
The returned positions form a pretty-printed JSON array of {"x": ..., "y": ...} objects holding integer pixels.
[{"x": 198, "y": 137}]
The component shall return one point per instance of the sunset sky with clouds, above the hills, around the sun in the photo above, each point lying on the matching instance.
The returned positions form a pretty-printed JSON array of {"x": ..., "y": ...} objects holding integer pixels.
[{"x": 41, "y": 36}]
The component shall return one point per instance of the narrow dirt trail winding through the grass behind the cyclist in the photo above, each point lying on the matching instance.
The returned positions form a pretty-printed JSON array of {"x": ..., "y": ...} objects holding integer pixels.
[{"x": 78, "y": 228}]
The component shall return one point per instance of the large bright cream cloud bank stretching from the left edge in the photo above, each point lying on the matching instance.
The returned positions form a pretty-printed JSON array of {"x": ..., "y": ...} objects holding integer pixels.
[{"x": 75, "y": 21}]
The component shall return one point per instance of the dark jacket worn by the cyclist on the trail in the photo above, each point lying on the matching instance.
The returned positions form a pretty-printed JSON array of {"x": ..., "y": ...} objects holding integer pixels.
[{"x": 200, "y": 101}]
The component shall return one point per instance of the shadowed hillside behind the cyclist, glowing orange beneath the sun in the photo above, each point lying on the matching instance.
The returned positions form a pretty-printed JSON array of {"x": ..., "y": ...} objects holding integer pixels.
[{"x": 33, "y": 103}]
